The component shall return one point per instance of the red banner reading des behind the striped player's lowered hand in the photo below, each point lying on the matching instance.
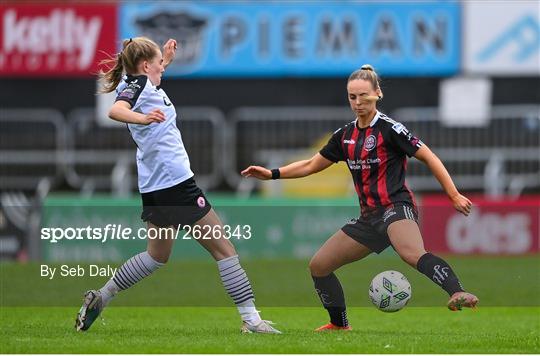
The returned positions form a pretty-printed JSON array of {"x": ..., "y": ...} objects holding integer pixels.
[{"x": 498, "y": 227}]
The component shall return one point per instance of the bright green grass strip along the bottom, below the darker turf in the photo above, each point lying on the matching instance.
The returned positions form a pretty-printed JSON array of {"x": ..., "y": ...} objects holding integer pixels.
[{"x": 216, "y": 330}]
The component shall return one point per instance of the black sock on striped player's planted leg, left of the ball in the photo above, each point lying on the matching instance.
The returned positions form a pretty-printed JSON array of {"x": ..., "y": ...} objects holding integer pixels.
[{"x": 331, "y": 295}]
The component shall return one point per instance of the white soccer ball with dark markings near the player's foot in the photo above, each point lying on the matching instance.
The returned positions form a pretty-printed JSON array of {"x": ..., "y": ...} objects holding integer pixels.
[{"x": 390, "y": 291}]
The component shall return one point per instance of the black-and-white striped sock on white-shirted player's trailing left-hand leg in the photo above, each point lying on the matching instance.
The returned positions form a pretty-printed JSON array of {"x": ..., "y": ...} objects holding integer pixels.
[{"x": 132, "y": 271}]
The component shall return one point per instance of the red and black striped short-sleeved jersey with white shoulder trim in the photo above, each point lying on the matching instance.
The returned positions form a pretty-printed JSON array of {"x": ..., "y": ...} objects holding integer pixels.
[{"x": 377, "y": 159}]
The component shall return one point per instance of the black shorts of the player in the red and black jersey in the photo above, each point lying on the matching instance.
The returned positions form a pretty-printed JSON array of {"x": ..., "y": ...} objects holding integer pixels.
[{"x": 370, "y": 230}]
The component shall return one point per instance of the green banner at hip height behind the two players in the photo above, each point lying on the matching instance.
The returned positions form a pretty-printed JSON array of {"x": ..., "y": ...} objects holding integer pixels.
[{"x": 107, "y": 229}]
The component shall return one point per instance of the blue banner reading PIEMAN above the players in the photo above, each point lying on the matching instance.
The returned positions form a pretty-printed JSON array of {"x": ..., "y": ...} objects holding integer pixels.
[{"x": 274, "y": 38}]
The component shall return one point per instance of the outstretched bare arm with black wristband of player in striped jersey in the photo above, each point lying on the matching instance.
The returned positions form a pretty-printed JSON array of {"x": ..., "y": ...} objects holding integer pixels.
[{"x": 297, "y": 169}]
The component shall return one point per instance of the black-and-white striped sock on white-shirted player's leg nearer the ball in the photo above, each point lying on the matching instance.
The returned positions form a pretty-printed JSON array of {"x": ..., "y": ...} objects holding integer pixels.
[{"x": 237, "y": 285}]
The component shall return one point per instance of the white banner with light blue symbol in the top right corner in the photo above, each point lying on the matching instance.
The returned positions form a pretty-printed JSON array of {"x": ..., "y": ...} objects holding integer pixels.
[{"x": 502, "y": 38}]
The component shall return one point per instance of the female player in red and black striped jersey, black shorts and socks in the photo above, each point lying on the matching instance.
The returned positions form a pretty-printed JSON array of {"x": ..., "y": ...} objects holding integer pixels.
[{"x": 375, "y": 149}]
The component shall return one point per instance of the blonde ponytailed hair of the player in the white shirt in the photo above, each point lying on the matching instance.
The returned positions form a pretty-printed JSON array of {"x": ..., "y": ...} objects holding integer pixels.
[{"x": 134, "y": 50}]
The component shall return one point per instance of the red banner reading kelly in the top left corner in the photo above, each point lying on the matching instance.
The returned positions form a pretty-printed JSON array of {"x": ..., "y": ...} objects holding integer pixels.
[{"x": 55, "y": 40}]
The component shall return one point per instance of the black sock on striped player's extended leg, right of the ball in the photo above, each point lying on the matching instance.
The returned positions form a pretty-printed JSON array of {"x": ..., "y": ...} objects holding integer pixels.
[{"x": 440, "y": 272}]
